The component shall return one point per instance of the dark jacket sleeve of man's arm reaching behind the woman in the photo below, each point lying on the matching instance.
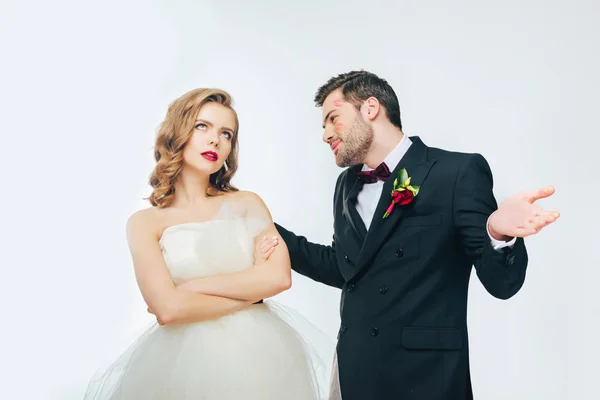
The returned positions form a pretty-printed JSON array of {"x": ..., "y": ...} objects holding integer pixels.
[{"x": 316, "y": 261}]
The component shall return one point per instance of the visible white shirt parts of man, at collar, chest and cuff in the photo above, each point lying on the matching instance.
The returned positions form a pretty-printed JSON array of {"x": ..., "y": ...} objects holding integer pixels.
[{"x": 369, "y": 195}]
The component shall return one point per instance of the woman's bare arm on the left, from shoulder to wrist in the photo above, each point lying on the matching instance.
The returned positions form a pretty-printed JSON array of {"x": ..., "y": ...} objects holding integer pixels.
[{"x": 170, "y": 304}]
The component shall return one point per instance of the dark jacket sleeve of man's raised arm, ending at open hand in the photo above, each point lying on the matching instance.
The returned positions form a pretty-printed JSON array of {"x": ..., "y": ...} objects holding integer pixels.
[{"x": 502, "y": 271}]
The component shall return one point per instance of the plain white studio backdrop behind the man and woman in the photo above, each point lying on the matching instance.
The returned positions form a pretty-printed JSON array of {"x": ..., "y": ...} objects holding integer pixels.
[{"x": 84, "y": 87}]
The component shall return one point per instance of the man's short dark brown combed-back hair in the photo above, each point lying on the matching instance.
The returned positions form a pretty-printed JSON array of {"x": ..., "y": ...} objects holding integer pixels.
[{"x": 358, "y": 86}]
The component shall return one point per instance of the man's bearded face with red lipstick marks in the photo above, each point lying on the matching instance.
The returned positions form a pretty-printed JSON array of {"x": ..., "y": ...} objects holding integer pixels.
[{"x": 346, "y": 131}]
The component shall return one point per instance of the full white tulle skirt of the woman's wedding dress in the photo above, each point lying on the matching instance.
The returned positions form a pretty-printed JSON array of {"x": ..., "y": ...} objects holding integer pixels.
[{"x": 264, "y": 352}]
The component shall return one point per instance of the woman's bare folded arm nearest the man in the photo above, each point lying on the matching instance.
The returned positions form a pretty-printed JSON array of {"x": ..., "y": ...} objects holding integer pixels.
[{"x": 271, "y": 273}]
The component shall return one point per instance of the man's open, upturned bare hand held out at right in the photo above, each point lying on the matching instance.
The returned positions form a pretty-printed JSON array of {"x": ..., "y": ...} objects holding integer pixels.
[{"x": 518, "y": 216}]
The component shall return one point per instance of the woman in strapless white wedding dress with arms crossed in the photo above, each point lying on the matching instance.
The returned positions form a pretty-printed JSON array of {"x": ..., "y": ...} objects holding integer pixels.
[{"x": 205, "y": 256}]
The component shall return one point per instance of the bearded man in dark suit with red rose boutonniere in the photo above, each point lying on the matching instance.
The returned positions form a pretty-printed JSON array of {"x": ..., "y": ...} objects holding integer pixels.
[{"x": 410, "y": 221}]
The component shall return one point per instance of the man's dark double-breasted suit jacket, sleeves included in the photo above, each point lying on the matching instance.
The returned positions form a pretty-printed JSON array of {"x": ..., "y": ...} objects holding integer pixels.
[{"x": 404, "y": 282}]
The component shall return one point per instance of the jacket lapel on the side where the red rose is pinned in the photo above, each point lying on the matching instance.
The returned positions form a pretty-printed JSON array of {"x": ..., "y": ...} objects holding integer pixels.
[{"x": 417, "y": 165}]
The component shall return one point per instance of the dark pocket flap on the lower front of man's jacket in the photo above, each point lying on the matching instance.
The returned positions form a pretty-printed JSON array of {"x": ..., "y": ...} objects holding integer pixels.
[{"x": 432, "y": 338}]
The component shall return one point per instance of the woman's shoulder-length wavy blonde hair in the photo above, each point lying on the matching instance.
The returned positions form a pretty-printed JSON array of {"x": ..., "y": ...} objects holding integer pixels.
[{"x": 175, "y": 132}]
